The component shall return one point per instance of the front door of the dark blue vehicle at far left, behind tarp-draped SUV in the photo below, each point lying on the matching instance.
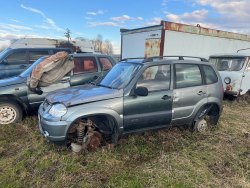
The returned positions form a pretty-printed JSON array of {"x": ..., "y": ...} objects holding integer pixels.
[{"x": 14, "y": 63}]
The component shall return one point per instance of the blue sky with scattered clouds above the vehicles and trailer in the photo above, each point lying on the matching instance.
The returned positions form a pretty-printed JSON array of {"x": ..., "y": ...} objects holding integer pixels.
[{"x": 88, "y": 18}]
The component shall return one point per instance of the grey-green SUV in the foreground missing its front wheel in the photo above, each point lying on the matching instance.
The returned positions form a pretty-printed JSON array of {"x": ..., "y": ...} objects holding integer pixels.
[{"x": 135, "y": 96}]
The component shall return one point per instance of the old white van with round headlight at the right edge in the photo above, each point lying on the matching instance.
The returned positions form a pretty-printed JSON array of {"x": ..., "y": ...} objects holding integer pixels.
[{"x": 234, "y": 70}]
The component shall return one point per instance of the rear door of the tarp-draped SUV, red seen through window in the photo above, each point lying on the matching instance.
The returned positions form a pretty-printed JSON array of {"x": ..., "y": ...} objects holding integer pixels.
[{"x": 86, "y": 70}]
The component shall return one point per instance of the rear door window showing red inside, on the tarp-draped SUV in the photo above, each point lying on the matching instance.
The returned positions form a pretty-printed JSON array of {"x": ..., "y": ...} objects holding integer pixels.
[{"x": 85, "y": 64}]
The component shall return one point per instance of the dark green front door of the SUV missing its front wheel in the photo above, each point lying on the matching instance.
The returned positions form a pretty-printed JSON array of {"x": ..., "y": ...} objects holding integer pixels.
[{"x": 153, "y": 110}]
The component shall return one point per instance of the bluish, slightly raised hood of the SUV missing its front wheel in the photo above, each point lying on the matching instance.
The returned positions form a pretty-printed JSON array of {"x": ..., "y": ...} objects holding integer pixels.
[{"x": 82, "y": 94}]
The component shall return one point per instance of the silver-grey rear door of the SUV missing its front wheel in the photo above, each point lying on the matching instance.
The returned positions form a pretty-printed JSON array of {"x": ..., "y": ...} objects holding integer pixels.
[{"x": 188, "y": 91}]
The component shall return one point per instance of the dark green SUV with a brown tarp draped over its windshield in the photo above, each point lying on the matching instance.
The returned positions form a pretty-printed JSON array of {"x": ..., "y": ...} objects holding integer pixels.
[{"x": 16, "y": 99}]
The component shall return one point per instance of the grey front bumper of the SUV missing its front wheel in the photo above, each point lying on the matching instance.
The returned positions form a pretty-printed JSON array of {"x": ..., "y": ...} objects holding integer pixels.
[{"x": 52, "y": 130}]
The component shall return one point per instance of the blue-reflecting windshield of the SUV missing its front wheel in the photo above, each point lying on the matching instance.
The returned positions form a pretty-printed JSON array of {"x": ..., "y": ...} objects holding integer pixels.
[{"x": 120, "y": 75}]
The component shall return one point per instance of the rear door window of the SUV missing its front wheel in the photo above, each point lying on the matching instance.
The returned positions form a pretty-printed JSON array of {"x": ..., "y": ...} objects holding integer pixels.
[{"x": 187, "y": 75}]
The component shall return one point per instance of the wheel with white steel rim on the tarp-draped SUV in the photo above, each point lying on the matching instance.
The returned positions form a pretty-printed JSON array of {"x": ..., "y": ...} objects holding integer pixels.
[{"x": 10, "y": 113}]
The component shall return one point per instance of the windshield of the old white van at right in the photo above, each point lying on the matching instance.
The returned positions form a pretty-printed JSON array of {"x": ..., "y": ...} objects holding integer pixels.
[{"x": 228, "y": 63}]
